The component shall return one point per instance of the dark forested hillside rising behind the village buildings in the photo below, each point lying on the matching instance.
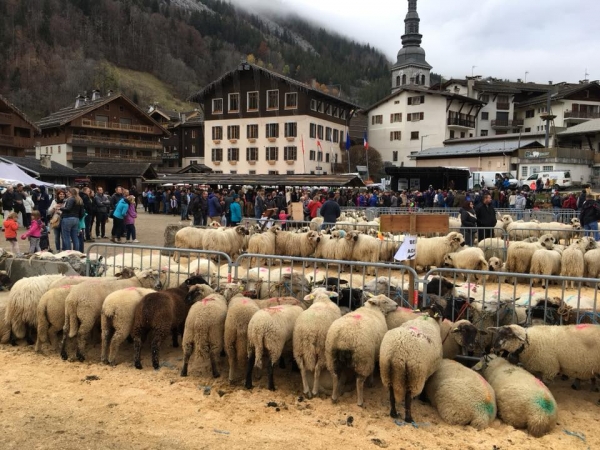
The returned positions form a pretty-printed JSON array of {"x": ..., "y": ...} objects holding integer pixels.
[{"x": 52, "y": 50}]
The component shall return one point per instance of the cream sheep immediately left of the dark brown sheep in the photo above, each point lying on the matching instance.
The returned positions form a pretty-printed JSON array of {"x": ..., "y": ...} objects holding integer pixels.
[{"x": 117, "y": 320}]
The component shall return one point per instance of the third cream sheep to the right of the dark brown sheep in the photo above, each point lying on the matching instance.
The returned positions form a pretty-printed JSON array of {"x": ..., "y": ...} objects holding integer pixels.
[{"x": 269, "y": 331}]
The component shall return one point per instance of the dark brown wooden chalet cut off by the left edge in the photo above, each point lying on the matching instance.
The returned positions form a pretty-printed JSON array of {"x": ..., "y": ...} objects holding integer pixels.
[{"x": 16, "y": 130}]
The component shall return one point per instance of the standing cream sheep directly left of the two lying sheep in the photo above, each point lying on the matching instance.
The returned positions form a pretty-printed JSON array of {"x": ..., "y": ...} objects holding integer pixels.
[{"x": 408, "y": 356}]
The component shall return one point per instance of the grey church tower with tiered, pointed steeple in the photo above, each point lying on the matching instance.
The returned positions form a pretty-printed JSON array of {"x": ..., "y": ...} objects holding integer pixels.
[{"x": 411, "y": 67}]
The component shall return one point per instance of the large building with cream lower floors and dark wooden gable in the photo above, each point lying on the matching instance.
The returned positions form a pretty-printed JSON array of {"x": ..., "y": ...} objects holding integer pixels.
[{"x": 259, "y": 122}]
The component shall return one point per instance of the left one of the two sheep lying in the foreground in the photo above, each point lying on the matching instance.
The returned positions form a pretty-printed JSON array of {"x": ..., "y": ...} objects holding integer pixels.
[{"x": 445, "y": 389}]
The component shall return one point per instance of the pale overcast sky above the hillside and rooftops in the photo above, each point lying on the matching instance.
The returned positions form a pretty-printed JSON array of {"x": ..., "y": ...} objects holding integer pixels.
[{"x": 551, "y": 39}]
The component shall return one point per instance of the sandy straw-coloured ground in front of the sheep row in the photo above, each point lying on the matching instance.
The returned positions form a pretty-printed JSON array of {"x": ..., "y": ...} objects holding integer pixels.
[{"x": 49, "y": 403}]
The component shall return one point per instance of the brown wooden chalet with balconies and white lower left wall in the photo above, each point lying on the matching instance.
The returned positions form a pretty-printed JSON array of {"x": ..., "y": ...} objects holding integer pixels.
[{"x": 101, "y": 129}]
